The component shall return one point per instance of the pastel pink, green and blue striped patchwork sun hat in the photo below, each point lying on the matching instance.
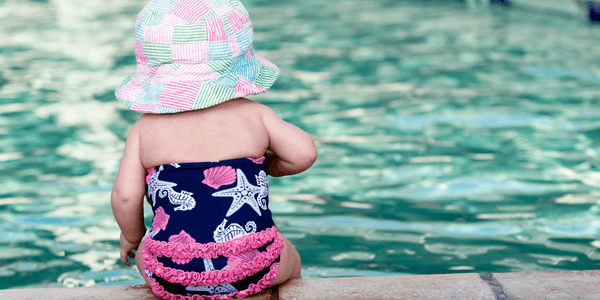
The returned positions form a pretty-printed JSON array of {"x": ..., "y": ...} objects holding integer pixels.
[{"x": 193, "y": 54}]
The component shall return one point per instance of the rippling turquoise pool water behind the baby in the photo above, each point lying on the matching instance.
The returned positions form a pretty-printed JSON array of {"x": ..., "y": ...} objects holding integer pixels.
[{"x": 451, "y": 139}]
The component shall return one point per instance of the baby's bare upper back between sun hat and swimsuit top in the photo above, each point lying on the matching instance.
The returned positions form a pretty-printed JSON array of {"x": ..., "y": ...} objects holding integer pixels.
[{"x": 233, "y": 129}]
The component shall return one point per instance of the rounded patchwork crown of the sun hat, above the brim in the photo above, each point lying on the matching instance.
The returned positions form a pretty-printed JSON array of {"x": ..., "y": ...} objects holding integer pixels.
[{"x": 191, "y": 32}]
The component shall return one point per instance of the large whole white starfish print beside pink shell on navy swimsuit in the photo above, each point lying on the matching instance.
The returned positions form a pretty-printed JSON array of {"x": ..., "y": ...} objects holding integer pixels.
[{"x": 242, "y": 193}]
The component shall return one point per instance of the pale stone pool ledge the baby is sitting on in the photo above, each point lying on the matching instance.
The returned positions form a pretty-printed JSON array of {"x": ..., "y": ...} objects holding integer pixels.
[{"x": 467, "y": 286}]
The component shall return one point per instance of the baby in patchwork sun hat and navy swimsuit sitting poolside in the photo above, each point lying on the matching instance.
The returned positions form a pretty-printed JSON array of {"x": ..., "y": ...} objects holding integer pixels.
[{"x": 201, "y": 154}]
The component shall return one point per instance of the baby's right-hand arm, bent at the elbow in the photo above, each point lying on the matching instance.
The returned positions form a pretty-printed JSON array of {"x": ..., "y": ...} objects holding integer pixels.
[{"x": 293, "y": 150}]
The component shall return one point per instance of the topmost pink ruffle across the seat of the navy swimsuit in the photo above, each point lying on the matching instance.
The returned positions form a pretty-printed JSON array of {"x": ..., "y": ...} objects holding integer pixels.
[{"x": 211, "y": 250}]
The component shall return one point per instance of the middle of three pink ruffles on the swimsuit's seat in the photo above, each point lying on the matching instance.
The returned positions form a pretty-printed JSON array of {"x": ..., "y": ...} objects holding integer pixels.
[{"x": 213, "y": 277}]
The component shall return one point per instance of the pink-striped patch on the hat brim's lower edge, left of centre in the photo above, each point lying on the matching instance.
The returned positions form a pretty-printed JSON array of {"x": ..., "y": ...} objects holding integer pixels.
[{"x": 179, "y": 95}]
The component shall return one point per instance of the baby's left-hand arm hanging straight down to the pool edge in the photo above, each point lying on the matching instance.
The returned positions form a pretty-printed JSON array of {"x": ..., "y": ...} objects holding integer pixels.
[{"x": 127, "y": 197}]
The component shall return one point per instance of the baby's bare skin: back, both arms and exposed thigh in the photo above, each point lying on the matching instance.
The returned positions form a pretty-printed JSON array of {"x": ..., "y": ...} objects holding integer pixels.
[{"x": 234, "y": 129}]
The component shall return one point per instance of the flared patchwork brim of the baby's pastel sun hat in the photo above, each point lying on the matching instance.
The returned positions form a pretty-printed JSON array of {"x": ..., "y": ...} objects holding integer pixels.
[{"x": 177, "y": 88}]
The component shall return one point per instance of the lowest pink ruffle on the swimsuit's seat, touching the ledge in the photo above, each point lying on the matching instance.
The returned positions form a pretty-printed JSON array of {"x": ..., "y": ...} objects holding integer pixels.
[{"x": 252, "y": 288}]
